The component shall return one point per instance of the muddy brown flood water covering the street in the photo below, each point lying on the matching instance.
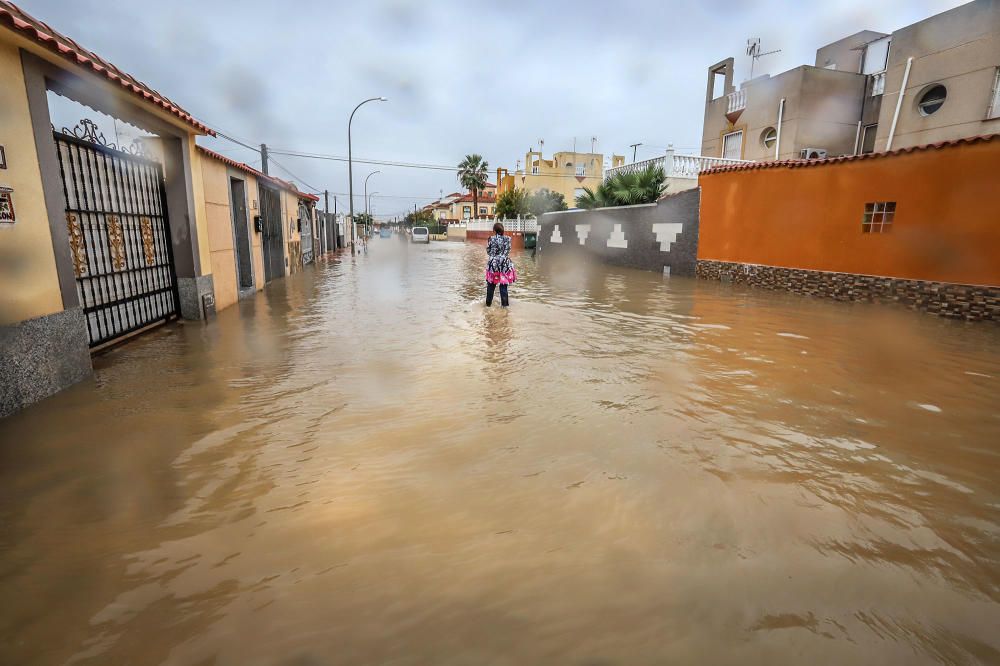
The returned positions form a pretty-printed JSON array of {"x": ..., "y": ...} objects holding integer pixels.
[{"x": 363, "y": 465}]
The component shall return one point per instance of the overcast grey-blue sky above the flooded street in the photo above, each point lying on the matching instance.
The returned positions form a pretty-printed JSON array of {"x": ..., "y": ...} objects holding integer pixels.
[{"x": 484, "y": 77}]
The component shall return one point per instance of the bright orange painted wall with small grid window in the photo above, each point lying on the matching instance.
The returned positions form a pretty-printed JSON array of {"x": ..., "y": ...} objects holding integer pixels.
[{"x": 946, "y": 229}]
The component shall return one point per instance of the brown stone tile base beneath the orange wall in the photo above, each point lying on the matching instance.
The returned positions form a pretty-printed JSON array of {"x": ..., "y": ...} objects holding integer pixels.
[{"x": 957, "y": 301}]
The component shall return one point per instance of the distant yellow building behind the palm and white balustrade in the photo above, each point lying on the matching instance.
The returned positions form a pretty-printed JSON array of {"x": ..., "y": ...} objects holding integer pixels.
[{"x": 566, "y": 173}]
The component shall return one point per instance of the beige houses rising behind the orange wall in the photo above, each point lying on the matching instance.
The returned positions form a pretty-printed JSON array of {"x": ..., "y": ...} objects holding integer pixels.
[{"x": 946, "y": 69}]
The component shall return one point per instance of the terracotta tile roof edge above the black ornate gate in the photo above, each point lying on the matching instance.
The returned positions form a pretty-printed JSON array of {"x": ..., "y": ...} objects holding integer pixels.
[{"x": 19, "y": 21}]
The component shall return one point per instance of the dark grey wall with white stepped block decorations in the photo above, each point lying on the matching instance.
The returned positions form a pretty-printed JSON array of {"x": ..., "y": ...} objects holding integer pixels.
[{"x": 656, "y": 237}]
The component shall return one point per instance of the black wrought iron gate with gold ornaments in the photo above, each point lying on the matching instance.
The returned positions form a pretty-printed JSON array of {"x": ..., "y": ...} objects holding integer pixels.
[{"x": 119, "y": 236}]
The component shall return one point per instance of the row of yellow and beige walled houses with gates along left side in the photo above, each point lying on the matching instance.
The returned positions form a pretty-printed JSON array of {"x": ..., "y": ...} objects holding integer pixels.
[{"x": 100, "y": 242}]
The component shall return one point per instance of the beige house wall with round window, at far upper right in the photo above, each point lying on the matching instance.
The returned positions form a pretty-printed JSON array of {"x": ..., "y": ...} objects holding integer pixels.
[{"x": 959, "y": 49}]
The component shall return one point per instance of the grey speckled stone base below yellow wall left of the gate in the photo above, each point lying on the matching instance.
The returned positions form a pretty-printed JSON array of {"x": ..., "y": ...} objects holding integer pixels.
[{"x": 42, "y": 356}]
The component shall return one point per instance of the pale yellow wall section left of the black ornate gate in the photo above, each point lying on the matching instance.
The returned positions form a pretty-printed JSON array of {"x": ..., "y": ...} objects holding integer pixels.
[{"x": 27, "y": 260}]
